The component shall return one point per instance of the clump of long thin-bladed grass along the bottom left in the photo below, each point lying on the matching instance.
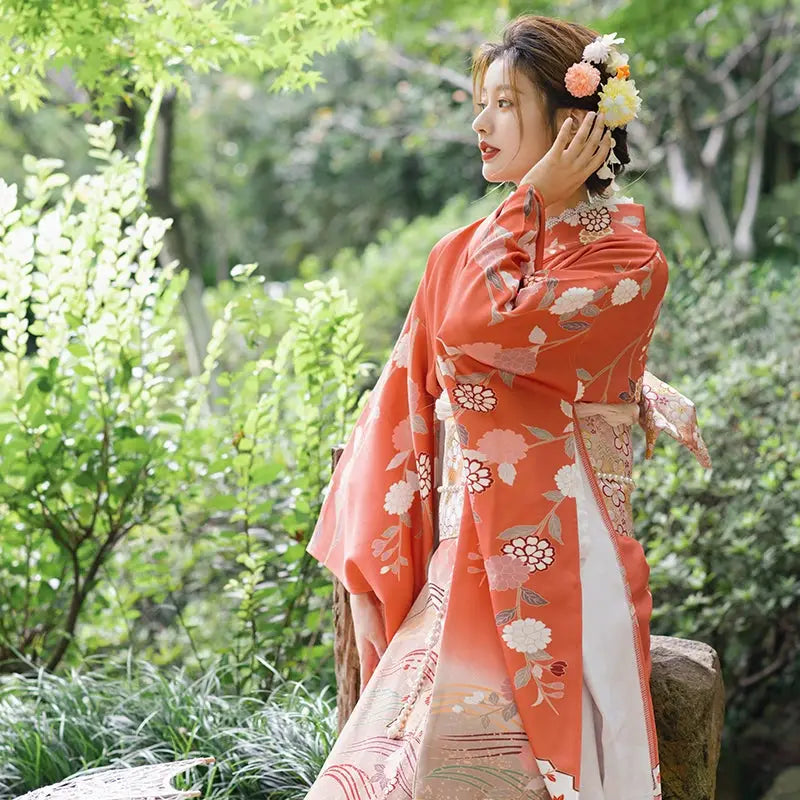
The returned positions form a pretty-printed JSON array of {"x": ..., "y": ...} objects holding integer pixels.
[{"x": 269, "y": 747}]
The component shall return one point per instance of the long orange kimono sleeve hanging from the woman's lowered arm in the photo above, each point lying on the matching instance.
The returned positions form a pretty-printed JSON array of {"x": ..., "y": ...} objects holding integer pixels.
[{"x": 375, "y": 528}]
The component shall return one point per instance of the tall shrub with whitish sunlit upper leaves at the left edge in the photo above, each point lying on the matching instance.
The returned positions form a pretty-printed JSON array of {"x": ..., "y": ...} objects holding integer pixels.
[{"x": 87, "y": 426}]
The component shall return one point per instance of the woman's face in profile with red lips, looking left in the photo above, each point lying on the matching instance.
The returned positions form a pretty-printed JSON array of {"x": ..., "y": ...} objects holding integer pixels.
[{"x": 497, "y": 125}]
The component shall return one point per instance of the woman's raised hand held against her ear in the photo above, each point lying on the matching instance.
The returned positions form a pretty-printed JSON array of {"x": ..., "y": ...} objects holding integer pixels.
[{"x": 568, "y": 164}]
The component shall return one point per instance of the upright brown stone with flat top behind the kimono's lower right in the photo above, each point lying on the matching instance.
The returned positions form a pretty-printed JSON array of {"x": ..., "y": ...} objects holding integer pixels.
[{"x": 689, "y": 702}]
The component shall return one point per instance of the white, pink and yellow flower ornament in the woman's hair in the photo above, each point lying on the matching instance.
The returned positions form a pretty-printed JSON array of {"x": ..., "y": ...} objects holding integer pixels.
[{"x": 619, "y": 98}]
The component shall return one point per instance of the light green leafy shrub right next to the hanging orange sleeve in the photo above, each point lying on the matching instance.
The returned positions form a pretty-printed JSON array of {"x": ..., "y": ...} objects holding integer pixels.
[{"x": 282, "y": 414}]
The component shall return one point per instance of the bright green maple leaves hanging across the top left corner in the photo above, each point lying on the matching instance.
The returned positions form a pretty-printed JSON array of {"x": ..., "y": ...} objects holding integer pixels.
[{"x": 116, "y": 50}]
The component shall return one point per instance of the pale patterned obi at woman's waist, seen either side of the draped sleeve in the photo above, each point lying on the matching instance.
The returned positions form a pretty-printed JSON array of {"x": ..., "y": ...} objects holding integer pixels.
[{"x": 606, "y": 433}]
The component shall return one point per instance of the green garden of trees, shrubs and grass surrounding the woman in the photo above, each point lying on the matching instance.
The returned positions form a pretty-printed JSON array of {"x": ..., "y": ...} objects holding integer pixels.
[{"x": 213, "y": 218}]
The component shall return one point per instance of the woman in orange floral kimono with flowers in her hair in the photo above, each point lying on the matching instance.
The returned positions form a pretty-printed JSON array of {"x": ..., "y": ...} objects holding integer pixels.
[{"x": 503, "y": 628}]
